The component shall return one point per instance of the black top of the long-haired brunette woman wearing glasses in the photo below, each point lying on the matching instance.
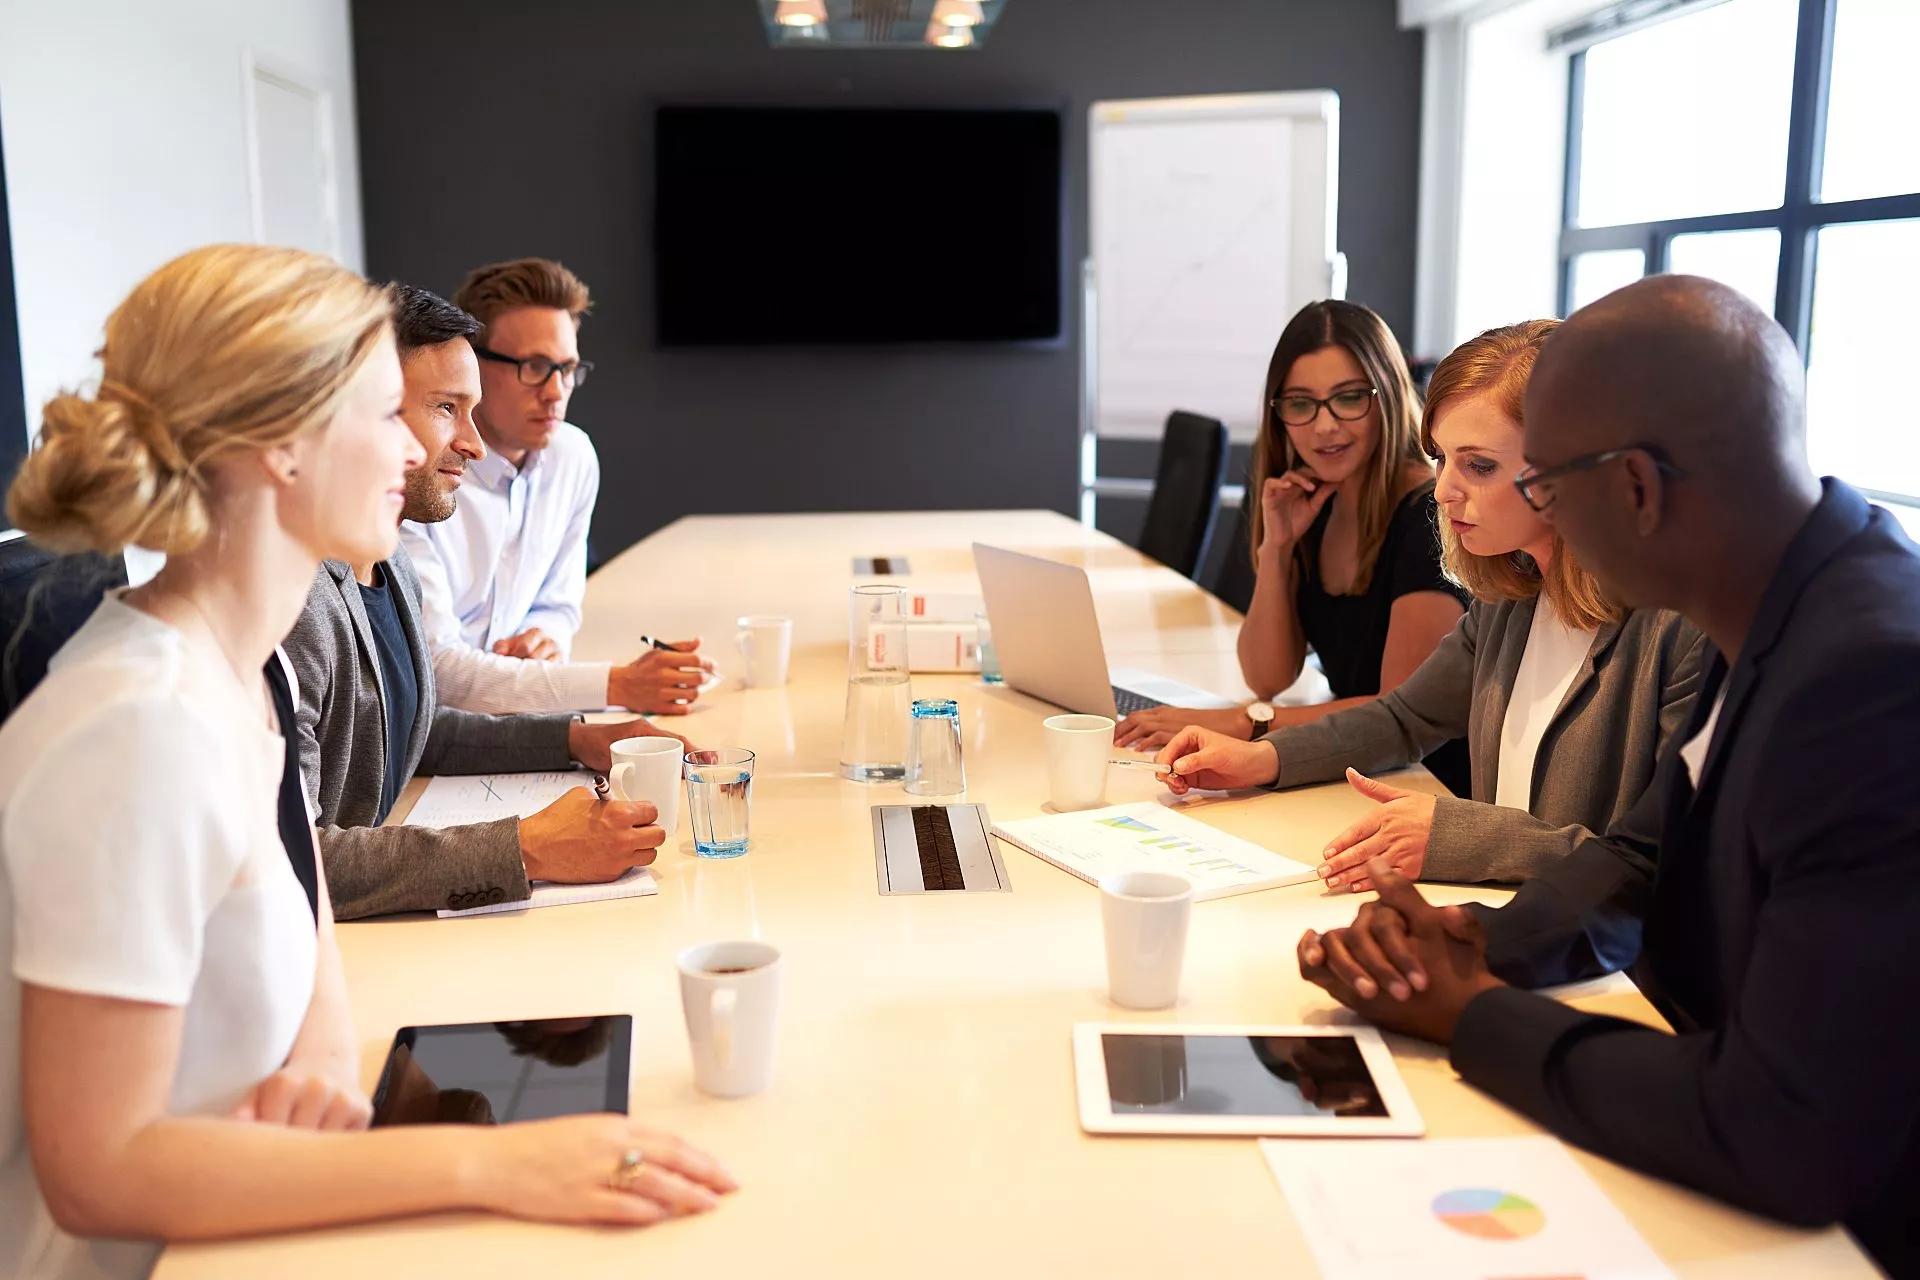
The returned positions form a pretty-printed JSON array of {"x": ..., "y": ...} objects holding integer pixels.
[{"x": 1349, "y": 632}]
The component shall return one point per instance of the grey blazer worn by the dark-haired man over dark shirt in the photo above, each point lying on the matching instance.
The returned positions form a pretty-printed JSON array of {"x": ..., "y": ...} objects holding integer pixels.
[{"x": 343, "y": 761}]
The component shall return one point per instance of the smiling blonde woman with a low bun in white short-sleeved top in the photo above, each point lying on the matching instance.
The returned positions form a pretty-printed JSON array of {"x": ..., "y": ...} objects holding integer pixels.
[{"x": 176, "y": 1055}]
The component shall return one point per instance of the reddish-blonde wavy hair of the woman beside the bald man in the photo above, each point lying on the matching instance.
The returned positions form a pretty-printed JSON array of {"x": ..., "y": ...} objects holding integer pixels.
[{"x": 1499, "y": 366}]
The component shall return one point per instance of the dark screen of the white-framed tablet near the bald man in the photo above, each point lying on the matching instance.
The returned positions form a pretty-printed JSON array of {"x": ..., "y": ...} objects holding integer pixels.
[{"x": 1239, "y": 1076}]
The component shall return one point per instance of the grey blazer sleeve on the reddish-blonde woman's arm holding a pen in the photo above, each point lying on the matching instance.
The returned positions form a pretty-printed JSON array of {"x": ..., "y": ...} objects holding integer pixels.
[{"x": 1428, "y": 709}]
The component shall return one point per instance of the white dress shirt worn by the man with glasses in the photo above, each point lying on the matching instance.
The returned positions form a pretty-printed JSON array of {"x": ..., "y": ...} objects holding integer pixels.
[{"x": 512, "y": 557}]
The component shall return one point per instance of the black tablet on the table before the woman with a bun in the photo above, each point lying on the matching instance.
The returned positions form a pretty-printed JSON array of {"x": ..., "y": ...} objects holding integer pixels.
[{"x": 496, "y": 1074}]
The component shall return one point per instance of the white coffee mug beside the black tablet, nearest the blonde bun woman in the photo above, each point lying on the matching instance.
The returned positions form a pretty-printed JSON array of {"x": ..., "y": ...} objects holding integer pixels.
[{"x": 731, "y": 993}]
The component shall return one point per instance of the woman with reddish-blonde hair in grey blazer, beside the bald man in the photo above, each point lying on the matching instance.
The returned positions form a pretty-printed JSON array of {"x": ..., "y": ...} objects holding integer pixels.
[{"x": 1566, "y": 698}]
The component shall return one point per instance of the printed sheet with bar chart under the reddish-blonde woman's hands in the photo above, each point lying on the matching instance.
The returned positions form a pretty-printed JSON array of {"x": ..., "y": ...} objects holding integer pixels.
[{"x": 1147, "y": 836}]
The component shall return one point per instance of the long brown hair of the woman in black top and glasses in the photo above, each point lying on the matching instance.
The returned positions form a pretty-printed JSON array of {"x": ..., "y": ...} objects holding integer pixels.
[{"x": 1364, "y": 337}]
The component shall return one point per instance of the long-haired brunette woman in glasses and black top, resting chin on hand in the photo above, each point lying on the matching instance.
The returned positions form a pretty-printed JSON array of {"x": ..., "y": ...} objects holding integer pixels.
[{"x": 1343, "y": 533}]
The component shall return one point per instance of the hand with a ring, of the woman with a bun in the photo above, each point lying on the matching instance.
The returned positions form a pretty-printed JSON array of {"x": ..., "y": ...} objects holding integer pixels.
[{"x": 575, "y": 1170}]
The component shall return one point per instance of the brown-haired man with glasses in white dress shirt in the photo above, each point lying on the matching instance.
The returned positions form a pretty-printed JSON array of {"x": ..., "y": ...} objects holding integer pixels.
[{"x": 506, "y": 577}]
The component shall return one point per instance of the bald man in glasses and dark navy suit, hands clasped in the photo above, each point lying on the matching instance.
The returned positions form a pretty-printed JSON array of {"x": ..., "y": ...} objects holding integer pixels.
[{"x": 1765, "y": 891}]
